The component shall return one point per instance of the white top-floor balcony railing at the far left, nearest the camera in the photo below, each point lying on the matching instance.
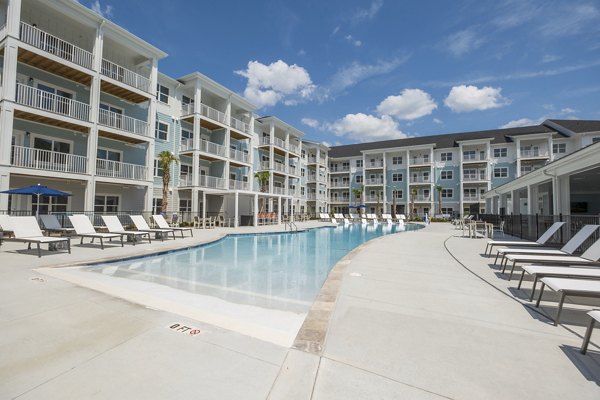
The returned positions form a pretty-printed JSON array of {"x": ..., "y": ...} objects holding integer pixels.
[{"x": 49, "y": 43}]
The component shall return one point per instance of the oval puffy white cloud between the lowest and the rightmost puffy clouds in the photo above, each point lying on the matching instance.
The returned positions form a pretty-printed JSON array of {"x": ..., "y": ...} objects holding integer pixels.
[{"x": 408, "y": 105}]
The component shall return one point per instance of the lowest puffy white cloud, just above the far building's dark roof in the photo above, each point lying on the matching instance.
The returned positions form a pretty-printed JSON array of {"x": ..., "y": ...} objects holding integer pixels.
[{"x": 365, "y": 128}]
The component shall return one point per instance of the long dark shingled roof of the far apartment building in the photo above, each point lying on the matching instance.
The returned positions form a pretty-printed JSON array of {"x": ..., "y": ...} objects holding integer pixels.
[{"x": 449, "y": 140}]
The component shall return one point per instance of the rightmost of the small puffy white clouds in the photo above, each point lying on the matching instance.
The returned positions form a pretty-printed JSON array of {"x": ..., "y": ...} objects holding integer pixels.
[{"x": 470, "y": 98}]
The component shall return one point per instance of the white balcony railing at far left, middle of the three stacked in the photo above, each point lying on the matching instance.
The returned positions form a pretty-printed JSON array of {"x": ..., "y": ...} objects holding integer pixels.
[{"x": 42, "y": 100}]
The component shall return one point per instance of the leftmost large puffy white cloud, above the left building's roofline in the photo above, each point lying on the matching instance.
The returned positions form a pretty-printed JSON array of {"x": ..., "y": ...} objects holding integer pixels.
[{"x": 269, "y": 84}]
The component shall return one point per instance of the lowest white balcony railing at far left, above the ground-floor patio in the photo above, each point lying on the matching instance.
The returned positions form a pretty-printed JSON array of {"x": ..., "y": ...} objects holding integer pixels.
[{"x": 27, "y": 157}]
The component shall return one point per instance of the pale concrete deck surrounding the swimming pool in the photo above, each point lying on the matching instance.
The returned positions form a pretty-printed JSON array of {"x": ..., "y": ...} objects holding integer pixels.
[{"x": 408, "y": 321}]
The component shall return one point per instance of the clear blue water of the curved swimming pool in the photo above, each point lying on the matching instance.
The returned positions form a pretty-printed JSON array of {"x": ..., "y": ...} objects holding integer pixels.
[{"x": 279, "y": 271}]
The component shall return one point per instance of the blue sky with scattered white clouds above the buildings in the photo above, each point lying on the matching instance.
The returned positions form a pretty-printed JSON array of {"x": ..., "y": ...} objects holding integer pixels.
[{"x": 365, "y": 70}]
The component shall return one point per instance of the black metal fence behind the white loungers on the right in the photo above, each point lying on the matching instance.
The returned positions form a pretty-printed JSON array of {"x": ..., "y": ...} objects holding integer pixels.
[{"x": 531, "y": 227}]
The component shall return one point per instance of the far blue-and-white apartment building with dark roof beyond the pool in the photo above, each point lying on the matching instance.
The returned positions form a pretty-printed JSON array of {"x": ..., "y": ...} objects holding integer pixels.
[{"x": 454, "y": 170}]
